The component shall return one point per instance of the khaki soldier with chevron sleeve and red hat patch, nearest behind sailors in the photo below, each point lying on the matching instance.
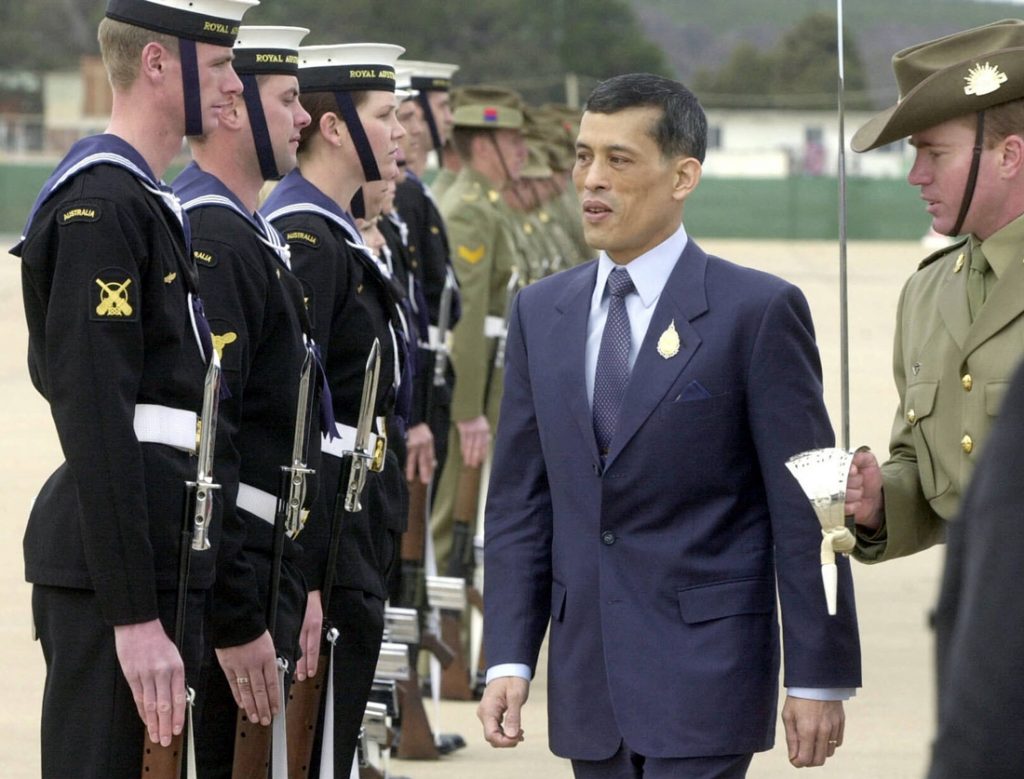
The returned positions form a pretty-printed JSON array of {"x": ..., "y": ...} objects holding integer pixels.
[{"x": 488, "y": 137}]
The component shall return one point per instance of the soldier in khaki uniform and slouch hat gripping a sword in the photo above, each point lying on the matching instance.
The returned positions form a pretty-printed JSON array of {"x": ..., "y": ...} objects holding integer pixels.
[{"x": 960, "y": 326}]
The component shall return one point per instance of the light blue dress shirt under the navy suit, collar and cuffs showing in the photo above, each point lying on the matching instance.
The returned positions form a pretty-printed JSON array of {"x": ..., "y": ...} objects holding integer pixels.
[{"x": 650, "y": 273}]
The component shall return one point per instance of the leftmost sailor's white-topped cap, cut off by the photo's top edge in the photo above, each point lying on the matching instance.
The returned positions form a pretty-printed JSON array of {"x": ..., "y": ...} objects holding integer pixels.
[{"x": 214, "y": 22}]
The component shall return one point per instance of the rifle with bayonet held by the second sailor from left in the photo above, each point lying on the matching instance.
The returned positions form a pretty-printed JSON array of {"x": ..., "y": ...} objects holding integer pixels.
[{"x": 253, "y": 754}]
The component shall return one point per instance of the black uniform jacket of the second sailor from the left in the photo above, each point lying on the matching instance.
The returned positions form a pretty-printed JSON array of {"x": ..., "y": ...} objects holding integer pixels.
[{"x": 254, "y": 307}]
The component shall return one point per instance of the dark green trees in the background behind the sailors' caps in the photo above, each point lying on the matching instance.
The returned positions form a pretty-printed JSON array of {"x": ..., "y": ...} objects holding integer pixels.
[{"x": 528, "y": 45}]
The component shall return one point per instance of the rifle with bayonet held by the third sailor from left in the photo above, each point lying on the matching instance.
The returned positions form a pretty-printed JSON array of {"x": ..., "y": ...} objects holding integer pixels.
[{"x": 305, "y": 699}]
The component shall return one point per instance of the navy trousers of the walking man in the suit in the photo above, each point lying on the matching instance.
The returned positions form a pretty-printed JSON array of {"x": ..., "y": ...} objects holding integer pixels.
[{"x": 626, "y": 764}]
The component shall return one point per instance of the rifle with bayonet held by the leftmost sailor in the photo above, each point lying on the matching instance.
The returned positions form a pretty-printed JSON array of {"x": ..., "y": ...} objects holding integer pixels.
[{"x": 165, "y": 762}]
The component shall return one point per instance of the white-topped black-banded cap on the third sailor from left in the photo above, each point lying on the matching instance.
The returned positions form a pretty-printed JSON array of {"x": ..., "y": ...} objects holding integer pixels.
[{"x": 349, "y": 68}]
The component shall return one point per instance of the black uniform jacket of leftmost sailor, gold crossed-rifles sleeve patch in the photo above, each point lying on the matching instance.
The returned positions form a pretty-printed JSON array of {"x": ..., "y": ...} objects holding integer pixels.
[{"x": 107, "y": 285}]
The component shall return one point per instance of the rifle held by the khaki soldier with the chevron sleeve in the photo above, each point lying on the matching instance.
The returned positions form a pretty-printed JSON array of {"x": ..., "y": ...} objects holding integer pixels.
[{"x": 456, "y": 678}]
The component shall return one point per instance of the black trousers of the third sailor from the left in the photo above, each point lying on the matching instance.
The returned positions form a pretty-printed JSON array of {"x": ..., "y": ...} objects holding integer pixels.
[{"x": 359, "y": 618}]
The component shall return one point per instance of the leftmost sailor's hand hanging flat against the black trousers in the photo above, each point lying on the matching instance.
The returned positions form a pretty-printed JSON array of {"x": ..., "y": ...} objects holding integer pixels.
[{"x": 157, "y": 677}]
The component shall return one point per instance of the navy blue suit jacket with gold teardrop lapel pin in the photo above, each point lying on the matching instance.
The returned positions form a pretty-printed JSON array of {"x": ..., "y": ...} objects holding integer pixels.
[{"x": 659, "y": 572}]
